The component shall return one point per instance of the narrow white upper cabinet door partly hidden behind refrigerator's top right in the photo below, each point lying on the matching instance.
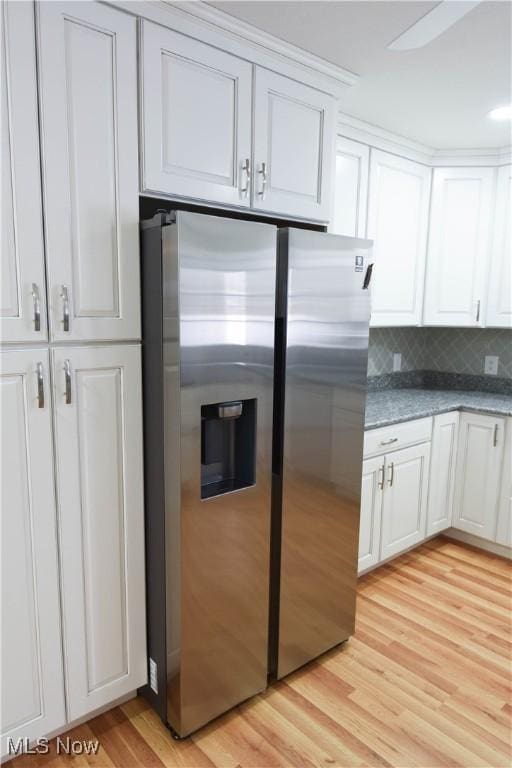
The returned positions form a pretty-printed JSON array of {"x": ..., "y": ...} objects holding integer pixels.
[{"x": 350, "y": 188}]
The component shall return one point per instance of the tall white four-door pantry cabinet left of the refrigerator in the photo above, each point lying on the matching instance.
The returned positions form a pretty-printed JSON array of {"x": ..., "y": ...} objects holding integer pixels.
[{"x": 73, "y": 612}]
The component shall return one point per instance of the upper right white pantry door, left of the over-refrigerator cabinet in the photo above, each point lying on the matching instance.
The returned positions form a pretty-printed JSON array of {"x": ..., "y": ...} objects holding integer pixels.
[{"x": 88, "y": 80}]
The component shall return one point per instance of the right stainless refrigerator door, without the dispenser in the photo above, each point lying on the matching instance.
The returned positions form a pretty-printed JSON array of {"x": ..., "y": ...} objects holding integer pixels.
[{"x": 325, "y": 310}]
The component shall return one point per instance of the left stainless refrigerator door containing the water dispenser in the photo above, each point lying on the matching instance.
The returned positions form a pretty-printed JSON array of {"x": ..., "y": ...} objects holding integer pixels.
[{"x": 219, "y": 307}]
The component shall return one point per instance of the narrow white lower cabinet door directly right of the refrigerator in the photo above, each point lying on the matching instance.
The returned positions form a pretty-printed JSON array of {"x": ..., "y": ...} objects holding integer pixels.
[{"x": 371, "y": 510}]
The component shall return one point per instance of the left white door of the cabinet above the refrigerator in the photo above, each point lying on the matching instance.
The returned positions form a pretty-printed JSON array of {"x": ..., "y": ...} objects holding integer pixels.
[{"x": 196, "y": 118}]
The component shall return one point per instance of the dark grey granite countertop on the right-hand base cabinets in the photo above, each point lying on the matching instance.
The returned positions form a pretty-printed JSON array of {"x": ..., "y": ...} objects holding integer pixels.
[{"x": 392, "y": 406}]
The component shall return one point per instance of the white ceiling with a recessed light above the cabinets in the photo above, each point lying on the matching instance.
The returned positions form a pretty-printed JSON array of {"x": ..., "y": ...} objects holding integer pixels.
[{"x": 438, "y": 95}]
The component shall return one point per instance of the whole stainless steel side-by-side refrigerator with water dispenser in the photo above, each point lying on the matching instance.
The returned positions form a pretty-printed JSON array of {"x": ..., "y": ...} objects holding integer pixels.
[{"x": 253, "y": 435}]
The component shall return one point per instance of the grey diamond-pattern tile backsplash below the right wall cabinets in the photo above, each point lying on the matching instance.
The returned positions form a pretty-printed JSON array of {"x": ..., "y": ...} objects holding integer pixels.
[{"x": 454, "y": 350}]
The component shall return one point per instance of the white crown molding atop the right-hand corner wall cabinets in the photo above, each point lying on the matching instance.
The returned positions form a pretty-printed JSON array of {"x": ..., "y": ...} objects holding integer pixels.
[{"x": 380, "y": 138}]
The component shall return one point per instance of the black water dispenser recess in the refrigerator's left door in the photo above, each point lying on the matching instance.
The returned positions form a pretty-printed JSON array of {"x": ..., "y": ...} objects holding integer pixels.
[{"x": 228, "y": 447}]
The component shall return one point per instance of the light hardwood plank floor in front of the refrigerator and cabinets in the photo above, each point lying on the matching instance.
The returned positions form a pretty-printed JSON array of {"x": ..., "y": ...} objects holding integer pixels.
[{"x": 424, "y": 682}]
